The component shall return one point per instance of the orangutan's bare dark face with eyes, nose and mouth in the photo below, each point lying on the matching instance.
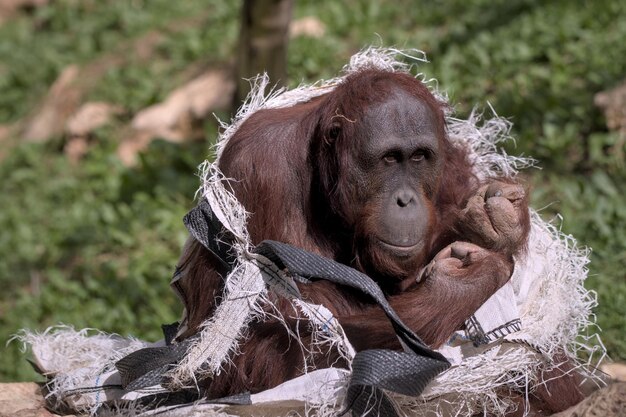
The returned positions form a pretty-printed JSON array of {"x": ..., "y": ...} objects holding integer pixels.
[{"x": 394, "y": 177}]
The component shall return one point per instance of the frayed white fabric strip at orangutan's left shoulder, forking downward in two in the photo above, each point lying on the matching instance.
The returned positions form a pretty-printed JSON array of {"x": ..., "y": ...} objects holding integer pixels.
[{"x": 245, "y": 296}]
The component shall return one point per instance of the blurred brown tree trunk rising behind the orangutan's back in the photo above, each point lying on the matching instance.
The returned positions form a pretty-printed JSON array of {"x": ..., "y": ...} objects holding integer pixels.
[{"x": 262, "y": 44}]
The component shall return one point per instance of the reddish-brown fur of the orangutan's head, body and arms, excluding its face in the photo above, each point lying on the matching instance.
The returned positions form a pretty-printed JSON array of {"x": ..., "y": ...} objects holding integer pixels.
[{"x": 289, "y": 173}]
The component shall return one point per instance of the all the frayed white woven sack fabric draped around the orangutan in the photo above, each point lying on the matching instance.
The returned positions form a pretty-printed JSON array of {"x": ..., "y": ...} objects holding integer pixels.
[{"x": 546, "y": 289}]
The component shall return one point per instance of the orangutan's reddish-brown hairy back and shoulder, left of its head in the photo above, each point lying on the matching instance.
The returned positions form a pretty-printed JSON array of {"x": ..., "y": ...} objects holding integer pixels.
[{"x": 267, "y": 163}]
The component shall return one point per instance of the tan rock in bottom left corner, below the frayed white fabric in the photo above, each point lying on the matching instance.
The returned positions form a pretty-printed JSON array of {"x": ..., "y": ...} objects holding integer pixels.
[{"x": 22, "y": 399}]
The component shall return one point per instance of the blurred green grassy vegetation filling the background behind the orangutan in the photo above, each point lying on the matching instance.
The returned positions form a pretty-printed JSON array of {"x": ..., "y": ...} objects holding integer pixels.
[{"x": 94, "y": 243}]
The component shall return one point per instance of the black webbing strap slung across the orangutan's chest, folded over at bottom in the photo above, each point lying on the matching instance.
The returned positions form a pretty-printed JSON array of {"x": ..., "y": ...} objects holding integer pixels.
[{"x": 373, "y": 370}]
